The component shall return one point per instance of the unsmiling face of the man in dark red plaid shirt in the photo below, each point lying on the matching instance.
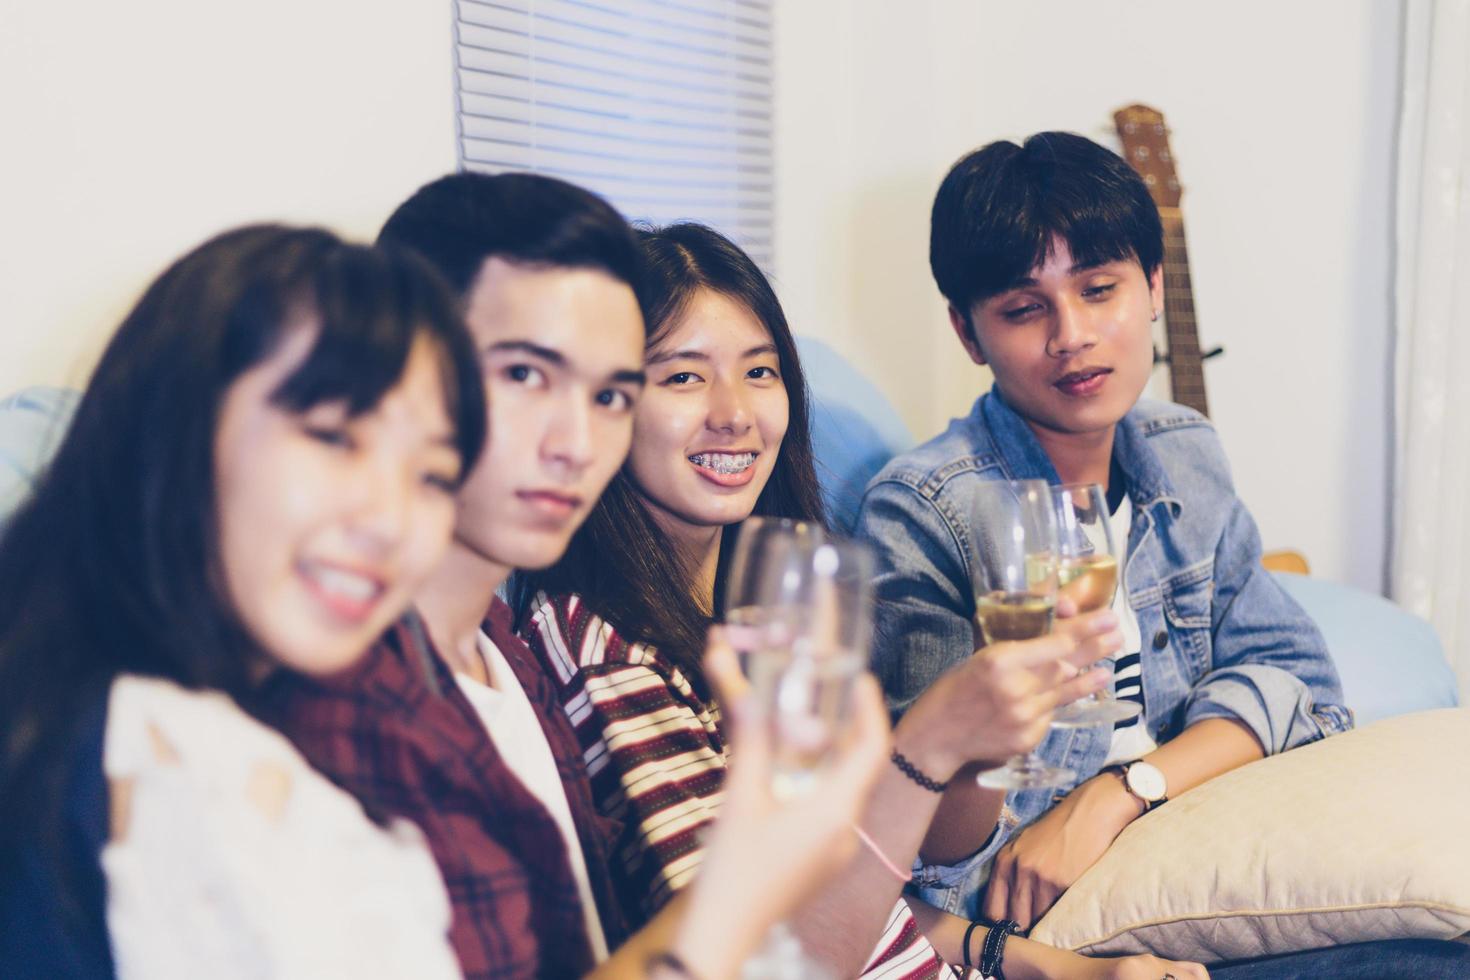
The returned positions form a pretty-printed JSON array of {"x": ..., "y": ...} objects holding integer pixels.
[{"x": 562, "y": 353}]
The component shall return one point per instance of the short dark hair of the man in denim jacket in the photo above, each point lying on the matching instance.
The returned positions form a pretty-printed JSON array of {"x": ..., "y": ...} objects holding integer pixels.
[{"x": 999, "y": 211}]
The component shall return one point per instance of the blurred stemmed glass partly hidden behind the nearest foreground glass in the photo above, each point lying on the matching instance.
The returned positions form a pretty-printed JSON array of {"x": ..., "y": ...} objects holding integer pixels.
[{"x": 759, "y": 613}]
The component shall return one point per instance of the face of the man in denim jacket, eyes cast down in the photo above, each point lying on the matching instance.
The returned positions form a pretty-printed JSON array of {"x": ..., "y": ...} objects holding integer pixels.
[{"x": 1071, "y": 347}]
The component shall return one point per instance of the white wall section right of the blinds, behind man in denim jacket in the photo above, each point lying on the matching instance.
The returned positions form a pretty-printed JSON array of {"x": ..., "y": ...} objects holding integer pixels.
[{"x": 1284, "y": 130}]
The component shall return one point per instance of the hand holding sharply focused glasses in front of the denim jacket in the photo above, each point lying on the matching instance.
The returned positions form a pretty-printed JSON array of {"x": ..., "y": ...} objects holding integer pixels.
[{"x": 999, "y": 702}]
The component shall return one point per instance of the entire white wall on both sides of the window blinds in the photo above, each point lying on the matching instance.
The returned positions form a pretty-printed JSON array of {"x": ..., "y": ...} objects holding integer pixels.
[{"x": 135, "y": 130}]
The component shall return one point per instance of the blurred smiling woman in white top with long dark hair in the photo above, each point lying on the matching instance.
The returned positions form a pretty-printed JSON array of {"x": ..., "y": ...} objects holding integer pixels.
[{"x": 258, "y": 480}]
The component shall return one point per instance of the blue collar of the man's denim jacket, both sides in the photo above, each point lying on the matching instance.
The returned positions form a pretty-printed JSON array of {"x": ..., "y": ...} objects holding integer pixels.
[{"x": 1022, "y": 458}]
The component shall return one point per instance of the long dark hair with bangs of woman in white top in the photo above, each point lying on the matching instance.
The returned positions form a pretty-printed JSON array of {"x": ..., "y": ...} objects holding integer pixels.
[{"x": 114, "y": 563}]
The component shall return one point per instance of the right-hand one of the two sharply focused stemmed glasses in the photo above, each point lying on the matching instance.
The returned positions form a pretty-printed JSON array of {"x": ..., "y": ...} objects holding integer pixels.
[{"x": 1089, "y": 566}]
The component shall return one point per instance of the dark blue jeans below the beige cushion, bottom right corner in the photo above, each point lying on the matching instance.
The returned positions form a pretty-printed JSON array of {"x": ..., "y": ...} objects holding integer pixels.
[{"x": 1384, "y": 960}]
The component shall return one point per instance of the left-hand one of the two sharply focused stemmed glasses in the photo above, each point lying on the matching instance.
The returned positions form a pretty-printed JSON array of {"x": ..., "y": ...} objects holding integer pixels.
[{"x": 1014, "y": 536}]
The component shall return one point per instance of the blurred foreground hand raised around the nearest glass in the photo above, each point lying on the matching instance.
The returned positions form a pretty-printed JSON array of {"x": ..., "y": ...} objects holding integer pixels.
[{"x": 767, "y": 856}]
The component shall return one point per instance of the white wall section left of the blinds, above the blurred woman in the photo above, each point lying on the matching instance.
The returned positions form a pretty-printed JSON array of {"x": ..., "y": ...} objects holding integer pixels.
[{"x": 136, "y": 130}]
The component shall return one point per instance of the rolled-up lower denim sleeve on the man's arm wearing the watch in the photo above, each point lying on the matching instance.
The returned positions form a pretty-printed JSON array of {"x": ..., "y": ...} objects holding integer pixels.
[{"x": 1271, "y": 669}]
